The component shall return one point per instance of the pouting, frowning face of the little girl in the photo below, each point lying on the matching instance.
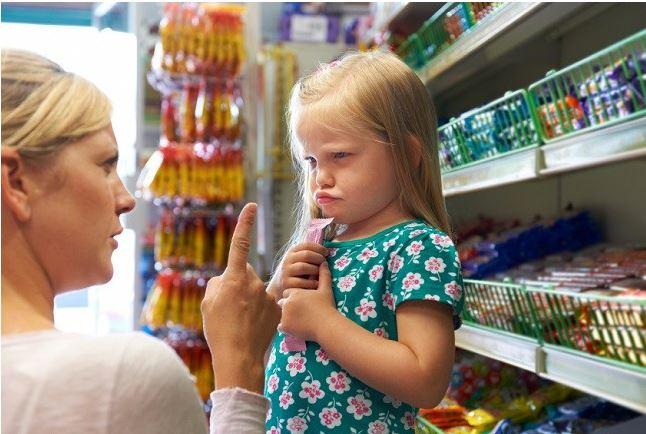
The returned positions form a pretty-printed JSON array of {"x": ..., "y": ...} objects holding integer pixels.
[{"x": 351, "y": 179}]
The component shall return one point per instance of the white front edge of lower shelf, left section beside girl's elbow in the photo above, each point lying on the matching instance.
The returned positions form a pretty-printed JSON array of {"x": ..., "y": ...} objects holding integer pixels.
[{"x": 515, "y": 350}]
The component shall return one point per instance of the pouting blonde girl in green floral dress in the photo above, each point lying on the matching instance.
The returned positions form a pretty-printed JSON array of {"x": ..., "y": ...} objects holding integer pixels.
[{"x": 378, "y": 315}]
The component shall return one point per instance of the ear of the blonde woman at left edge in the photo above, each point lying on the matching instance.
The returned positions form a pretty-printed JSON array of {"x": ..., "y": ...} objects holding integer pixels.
[{"x": 14, "y": 193}]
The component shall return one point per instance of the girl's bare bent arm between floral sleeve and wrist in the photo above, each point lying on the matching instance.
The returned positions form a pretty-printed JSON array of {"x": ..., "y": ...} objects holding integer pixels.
[{"x": 416, "y": 369}]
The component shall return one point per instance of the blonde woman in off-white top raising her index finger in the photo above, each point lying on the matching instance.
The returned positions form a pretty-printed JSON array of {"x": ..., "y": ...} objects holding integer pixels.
[{"x": 61, "y": 201}]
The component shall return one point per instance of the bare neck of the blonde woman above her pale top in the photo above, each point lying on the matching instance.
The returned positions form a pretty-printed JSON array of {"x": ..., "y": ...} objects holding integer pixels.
[{"x": 27, "y": 296}]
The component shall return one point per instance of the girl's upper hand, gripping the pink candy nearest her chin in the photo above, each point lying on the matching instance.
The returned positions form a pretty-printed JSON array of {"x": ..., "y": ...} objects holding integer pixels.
[{"x": 301, "y": 262}]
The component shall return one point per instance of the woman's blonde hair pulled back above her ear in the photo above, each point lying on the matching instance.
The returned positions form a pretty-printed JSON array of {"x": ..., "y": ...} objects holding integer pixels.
[{"x": 44, "y": 107}]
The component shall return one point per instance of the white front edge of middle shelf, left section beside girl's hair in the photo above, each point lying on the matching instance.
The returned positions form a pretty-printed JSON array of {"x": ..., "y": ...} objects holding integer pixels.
[{"x": 509, "y": 169}]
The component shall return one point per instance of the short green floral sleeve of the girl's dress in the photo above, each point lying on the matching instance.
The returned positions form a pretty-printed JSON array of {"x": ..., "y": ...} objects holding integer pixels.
[{"x": 426, "y": 267}]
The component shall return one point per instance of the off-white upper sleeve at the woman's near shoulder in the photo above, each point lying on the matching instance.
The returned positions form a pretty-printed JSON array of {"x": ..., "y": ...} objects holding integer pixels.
[{"x": 154, "y": 392}]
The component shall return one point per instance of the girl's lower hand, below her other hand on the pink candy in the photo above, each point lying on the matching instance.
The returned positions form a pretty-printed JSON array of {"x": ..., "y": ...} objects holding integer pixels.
[{"x": 305, "y": 311}]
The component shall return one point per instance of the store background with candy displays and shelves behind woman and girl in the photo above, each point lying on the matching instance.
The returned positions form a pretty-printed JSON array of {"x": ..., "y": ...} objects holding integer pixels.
[{"x": 542, "y": 146}]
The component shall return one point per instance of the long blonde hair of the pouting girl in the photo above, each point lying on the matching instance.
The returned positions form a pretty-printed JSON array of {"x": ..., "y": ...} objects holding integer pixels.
[{"x": 372, "y": 93}]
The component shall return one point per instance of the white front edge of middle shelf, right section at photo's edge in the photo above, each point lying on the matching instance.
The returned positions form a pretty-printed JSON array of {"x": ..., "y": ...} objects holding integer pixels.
[{"x": 616, "y": 143}]
